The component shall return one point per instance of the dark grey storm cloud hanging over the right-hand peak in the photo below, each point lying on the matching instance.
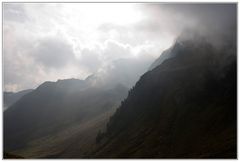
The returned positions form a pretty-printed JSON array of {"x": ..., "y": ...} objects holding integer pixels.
[{"x": 213, "y": 21}]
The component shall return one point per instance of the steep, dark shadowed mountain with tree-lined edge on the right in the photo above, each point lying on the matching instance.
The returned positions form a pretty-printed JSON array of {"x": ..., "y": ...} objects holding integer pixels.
[{"x": 185, "y": 107}]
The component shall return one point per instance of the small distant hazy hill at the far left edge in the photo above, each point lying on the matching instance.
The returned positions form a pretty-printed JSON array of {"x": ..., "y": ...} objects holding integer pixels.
[{"x": 10, "y": 97}]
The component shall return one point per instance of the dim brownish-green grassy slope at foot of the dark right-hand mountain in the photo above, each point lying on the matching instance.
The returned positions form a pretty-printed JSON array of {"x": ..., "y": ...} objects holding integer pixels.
[{"x": 72, "y": 142}]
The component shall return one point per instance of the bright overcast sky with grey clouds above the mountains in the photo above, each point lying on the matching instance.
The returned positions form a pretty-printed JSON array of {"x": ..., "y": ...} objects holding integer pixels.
[{"x": 51, "y": 41}]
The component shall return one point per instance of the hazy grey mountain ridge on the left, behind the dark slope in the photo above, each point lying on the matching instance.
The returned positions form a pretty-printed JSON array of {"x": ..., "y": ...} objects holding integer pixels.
[{"x": 55, "y": 113}]
